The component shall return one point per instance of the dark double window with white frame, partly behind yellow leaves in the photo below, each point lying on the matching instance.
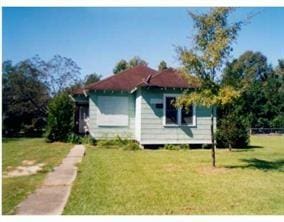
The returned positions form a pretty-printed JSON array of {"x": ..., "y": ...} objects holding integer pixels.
[{"x": 178, "y": 116}]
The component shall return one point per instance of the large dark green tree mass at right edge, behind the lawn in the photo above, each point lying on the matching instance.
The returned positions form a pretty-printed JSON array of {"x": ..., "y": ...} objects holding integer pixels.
[{"x": 261, "y": 100}]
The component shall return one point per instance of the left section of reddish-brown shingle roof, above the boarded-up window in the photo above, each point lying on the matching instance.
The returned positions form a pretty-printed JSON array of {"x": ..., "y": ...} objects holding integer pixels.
[{"x": 126, "y": 80}]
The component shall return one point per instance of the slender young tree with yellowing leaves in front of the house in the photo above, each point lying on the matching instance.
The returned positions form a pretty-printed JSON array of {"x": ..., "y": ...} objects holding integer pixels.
[{"x": 201, "y": 63}]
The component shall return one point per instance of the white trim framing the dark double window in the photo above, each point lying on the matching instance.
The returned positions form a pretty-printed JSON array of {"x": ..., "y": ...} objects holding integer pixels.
[{"x": 178, "y": 113}]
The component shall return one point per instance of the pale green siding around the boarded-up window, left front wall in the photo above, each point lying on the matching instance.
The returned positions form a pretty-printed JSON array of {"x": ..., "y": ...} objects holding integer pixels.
[{"x": 108, "y": 132}]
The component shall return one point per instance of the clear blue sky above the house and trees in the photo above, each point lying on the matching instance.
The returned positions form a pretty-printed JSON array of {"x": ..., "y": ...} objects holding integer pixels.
[{"x": 97, "y": 38}]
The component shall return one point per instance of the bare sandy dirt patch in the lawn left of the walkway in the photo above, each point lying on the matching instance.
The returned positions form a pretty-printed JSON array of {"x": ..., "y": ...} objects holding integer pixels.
[{"x": 27, "y": 168}]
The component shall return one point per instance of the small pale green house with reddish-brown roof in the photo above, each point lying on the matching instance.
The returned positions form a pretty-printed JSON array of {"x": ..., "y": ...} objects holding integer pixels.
[{"x": 137, "y": 104}]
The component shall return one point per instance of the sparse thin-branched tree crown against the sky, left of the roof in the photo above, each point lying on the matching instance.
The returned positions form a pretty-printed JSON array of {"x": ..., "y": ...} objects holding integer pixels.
[{"x": 59, "y": 73}]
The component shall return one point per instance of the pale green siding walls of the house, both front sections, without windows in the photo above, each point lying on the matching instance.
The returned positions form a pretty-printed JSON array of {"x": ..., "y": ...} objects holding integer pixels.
[{"x": 152, "y": 129}]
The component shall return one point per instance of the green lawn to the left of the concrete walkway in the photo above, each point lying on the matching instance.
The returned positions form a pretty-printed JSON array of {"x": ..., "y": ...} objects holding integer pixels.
[{"x": 16, "y": 189}]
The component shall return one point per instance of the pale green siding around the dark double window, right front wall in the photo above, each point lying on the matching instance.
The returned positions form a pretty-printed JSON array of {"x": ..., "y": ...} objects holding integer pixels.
[{"x": 154, "y": 132}]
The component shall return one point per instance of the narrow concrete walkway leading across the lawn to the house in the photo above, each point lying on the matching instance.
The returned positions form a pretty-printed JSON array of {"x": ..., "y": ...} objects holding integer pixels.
[{"x": 52, "y": 196}]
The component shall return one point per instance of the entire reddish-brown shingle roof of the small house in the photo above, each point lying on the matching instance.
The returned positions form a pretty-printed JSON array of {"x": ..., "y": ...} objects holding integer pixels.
[{"x": 139, "y": 76}]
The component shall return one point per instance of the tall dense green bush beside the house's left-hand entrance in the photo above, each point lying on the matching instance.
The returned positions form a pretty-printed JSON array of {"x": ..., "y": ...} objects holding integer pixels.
[{"x": 60, "y": 118}]
